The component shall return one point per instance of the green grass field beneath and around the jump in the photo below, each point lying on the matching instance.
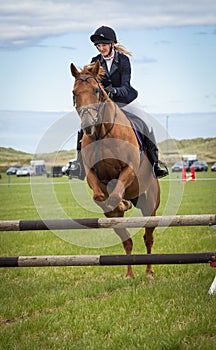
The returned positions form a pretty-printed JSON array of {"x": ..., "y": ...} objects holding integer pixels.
[{"x": 97, "y": 307}]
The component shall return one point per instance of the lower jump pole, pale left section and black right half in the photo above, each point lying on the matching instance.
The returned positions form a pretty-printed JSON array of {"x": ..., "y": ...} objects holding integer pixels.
[{"x": 107, "y": 260}]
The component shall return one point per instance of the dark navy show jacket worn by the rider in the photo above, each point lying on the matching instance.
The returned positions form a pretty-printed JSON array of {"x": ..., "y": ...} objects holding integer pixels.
[{"x": 119, "y": 77}]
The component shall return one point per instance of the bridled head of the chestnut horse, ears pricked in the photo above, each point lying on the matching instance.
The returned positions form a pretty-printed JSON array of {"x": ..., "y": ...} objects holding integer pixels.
[{"x": 88, "y": 94}]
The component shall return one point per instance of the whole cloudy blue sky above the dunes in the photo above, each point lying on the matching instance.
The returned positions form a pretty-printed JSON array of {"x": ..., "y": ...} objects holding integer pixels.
[{"x": 173, "y": 65}]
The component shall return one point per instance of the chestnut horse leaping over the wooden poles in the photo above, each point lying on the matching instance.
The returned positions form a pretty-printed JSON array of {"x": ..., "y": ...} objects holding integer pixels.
[{"x": 115, "y": 170}]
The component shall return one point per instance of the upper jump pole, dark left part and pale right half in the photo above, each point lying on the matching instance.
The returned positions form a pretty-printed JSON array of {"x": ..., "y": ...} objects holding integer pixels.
[{"x": 127, "y": 222}]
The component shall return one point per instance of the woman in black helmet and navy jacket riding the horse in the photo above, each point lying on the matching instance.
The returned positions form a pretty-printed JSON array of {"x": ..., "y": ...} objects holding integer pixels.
[{"x": 116, "y": 81}]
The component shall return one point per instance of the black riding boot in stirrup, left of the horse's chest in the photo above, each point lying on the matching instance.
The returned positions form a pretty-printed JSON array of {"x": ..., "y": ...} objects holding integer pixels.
[{"x": 76, "y": 168}]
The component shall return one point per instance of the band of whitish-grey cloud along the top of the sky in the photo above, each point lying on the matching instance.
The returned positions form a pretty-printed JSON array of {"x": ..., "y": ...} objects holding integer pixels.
[{"x": 27, "y": 22}]
